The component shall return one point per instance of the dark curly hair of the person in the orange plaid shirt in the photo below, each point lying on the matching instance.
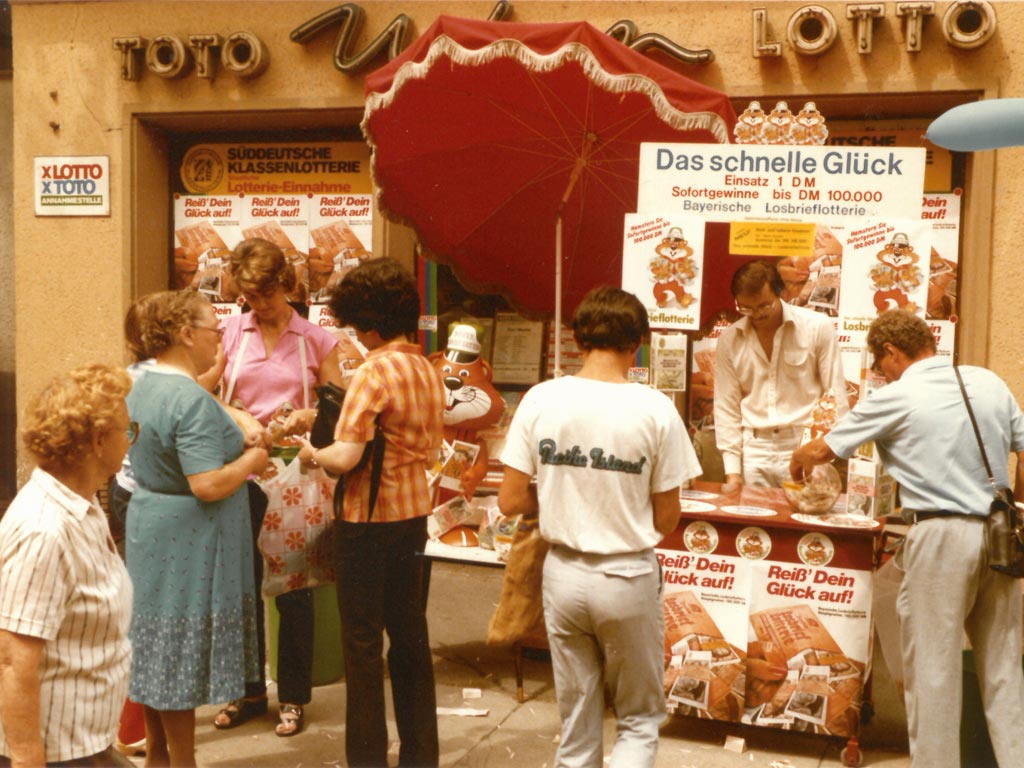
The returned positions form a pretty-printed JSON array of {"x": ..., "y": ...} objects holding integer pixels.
[{"x": 378, "y": 295}]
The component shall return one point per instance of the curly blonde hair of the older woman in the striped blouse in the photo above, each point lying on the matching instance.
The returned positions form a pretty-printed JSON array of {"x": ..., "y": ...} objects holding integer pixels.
[{"x": 63, "y": 419}]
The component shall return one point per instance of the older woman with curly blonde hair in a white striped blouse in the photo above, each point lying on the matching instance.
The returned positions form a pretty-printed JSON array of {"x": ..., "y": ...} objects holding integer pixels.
[{"x": 65, "y": 594}]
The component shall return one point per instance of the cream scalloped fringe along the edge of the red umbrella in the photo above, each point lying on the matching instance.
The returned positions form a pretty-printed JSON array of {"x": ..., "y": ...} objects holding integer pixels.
[{"x": 445, "y": 47}]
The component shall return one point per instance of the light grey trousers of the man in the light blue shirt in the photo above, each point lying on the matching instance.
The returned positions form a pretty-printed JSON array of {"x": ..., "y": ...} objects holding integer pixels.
[{"x": 949, "y": 588}]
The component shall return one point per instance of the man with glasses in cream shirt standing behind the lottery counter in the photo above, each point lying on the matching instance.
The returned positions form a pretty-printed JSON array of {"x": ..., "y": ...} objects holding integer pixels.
[{"x": 772, "y": 367}]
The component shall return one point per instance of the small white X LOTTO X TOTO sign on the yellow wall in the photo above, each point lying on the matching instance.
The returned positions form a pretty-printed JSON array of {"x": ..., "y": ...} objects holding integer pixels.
[{"x": 73, "y": 186}]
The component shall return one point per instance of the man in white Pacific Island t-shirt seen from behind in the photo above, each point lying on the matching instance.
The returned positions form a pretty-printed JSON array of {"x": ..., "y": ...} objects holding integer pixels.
[{"x": 610, "y": 458}]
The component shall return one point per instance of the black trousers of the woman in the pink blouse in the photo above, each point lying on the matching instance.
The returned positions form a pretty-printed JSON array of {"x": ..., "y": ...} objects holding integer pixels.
[{"x": 295, "y": 632}]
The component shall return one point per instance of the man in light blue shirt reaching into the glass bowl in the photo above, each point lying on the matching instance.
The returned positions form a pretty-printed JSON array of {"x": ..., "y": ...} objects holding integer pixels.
[{"x": 921, "y": 428}]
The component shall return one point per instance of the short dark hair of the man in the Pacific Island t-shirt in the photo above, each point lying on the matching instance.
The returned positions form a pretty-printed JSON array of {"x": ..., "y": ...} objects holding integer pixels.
[{"x": 610, "y": 319}]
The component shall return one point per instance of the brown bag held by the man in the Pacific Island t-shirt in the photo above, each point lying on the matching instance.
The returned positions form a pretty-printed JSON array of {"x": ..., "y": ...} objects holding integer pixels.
[{"x": 520, "y": 617}]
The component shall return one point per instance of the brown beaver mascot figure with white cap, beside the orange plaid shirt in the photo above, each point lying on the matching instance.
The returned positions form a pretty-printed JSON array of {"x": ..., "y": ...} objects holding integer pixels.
[{"x": 472, "y": 402}]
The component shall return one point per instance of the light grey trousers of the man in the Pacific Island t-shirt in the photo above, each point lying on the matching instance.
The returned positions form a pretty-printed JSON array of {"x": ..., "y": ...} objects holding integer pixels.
[{"x": 604, "y": 616}]
